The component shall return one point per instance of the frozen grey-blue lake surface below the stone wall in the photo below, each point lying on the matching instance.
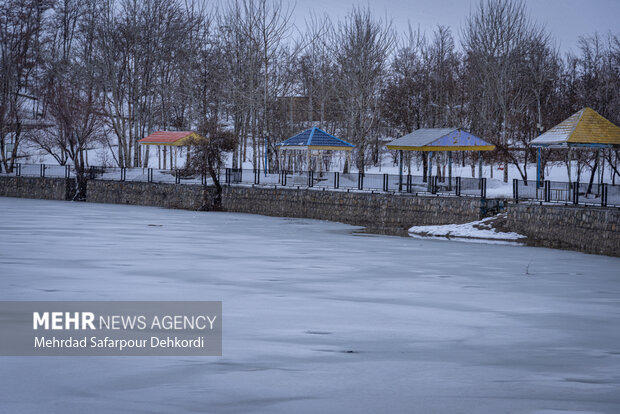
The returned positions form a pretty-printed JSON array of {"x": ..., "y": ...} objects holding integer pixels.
[{"x": 316, "y": 318}]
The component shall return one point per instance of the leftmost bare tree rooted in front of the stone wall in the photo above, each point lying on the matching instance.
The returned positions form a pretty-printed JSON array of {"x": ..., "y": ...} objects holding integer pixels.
[{"x": 71, "y": 94}]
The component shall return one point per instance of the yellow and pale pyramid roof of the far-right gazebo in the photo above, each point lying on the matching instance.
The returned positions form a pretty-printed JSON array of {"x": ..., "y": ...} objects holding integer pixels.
[{"x": 585, "y": 128}]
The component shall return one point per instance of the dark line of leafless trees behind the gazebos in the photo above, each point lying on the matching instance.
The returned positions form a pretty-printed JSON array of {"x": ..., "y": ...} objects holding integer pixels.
[{"x": 81, "y": 74}]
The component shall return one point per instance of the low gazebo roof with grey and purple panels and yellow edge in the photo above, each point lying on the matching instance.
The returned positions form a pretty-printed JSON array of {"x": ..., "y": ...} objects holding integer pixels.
[{"x": 440, "y": 139}]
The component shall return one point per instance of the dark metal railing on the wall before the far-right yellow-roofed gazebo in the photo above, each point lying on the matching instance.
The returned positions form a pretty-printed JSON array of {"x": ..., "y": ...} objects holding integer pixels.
[{"x": 568, "y": 193}]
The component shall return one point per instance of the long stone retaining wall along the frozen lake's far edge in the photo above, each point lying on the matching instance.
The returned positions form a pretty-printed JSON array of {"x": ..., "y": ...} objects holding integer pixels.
[{"x": 587, "y": 229}]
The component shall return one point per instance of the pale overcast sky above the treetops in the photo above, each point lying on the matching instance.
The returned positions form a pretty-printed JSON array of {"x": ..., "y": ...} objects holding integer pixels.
[{"x": 565, "y": 19}]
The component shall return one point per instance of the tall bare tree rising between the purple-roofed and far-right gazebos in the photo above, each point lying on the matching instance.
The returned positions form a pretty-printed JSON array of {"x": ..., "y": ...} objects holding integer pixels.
[{"x": 495, "y": 39}]
